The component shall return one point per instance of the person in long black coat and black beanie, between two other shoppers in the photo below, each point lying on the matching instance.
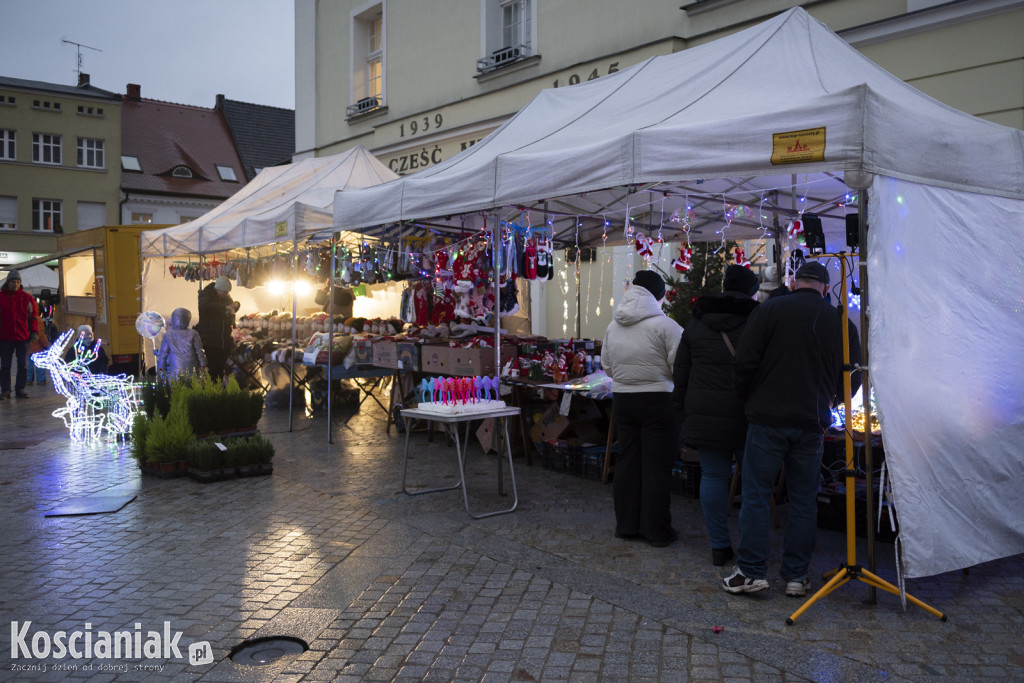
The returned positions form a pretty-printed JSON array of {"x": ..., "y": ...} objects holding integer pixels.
[{"x": 712, "y": 414}]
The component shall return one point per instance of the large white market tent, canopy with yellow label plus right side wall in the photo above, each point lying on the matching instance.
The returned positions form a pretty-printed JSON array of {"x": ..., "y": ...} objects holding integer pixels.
[{"x": 788, "y": 108}]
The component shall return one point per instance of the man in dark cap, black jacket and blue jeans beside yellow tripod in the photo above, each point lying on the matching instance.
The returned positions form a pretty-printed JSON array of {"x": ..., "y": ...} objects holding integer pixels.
[{"x": 787, "y": 371}]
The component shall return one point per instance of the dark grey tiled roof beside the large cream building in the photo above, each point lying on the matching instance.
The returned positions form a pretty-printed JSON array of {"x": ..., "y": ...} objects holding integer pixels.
[{"x": 264, "y": 136}]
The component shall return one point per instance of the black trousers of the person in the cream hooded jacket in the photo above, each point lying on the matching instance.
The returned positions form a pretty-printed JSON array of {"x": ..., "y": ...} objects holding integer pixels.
[{"x": 649, "y": 447}]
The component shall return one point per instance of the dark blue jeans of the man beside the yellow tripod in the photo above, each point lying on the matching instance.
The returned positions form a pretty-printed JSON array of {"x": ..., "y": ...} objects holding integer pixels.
[{"x": 767, "y": 449}]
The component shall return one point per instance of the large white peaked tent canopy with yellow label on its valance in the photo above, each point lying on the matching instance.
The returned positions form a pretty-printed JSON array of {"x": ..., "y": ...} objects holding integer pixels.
[{"x": 705, "y": 122}]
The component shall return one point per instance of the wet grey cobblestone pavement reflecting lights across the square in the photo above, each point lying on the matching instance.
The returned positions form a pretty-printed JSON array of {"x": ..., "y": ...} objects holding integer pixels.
[{"x": 382, "y": 586}]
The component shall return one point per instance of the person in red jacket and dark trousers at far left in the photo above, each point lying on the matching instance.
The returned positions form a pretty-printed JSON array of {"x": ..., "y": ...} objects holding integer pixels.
[{"x": 19, "y": 326}]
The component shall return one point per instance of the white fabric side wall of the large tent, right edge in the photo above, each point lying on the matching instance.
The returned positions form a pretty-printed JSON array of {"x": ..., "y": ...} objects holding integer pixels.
[{"x": 947, "y": 341}]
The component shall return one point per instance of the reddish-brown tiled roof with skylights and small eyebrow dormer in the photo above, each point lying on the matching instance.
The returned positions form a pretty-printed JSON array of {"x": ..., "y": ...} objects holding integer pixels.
[{"x": 165, "y": 136}]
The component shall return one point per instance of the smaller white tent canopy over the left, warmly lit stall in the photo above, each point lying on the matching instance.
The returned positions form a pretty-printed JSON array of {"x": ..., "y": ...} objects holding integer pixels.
[{"x": 282, "y": 204}]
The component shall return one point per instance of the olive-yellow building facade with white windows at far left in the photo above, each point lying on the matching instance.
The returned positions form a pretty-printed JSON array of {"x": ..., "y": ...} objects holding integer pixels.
[{"x": 60, "y": 148}]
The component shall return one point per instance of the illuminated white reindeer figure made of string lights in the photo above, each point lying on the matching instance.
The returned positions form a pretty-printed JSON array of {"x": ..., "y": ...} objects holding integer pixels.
[{"x": 99, "y": 406}]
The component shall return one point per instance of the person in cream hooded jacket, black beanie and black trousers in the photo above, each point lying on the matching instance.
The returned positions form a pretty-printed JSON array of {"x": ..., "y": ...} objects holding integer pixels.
[{"x": 638, "y": 353}]
